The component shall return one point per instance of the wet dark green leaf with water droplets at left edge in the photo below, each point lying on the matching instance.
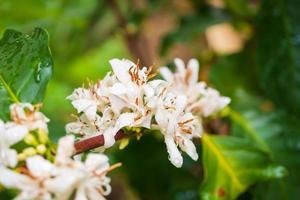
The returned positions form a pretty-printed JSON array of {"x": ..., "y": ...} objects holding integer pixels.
[{"x": 25, "y": 67}]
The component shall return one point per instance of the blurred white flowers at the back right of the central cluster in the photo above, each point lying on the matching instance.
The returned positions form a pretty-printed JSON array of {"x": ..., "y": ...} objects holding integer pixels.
[{"x": 202, "y": 100}]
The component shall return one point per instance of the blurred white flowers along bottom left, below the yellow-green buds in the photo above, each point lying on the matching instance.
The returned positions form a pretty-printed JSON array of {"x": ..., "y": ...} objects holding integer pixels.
[{"x": 44, "y": 180}]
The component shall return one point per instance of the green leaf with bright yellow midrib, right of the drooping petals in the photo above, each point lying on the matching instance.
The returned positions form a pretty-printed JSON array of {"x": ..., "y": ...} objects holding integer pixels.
[{"x": 231, "y": 165}]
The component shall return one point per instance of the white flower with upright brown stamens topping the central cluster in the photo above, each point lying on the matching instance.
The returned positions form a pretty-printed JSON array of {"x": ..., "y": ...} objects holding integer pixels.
[{"x": 131, "y": 91}]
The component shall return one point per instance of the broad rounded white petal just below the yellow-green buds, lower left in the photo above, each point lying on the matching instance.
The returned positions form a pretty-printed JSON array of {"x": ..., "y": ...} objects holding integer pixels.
[{"x": 39, "y": 167}]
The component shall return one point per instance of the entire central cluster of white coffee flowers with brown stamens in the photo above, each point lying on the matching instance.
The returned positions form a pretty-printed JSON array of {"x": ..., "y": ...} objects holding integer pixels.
[{"x": 127, "y": 98}]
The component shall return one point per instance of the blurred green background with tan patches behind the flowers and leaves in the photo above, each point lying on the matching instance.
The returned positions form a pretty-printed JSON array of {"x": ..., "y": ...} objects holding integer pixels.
[{"x": 248, "y": 49}]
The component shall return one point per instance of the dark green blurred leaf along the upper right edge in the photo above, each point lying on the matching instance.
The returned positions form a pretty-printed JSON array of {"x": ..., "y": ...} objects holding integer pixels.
[{"x": 278, "y": 52}]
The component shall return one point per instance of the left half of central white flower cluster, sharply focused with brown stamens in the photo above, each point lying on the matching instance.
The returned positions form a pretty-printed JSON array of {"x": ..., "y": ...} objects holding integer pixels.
[{"x": 125, "y": 94}]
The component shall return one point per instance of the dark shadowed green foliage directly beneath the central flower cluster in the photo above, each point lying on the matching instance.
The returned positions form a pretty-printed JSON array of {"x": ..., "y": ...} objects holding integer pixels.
[{"x": 146, "y": 164}]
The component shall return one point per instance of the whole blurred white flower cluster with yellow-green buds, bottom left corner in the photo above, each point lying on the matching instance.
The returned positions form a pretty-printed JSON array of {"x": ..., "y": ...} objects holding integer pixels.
[{"x": 38, "y": 178}]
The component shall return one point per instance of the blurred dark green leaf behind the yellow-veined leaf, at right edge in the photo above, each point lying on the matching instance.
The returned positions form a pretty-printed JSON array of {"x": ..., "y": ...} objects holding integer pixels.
[{"x": 280, "y": 131}]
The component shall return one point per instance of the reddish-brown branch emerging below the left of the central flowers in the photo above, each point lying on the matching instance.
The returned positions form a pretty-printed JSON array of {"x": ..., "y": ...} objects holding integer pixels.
[{"x": 94, "y": 142}]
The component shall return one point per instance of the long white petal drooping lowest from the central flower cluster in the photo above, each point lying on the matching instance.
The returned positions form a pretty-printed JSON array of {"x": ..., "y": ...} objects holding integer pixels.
[{"x": 174, "y": 154}]
